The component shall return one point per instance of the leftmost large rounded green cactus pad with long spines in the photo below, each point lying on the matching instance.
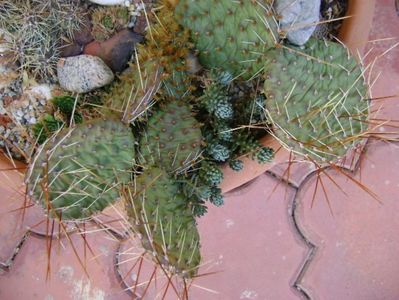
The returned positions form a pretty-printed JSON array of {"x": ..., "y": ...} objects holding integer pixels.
[{"x": 79, "y": 171}]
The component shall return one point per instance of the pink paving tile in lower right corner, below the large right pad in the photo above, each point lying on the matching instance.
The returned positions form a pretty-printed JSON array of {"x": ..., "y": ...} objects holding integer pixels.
[{"x": 357, "y": 245}]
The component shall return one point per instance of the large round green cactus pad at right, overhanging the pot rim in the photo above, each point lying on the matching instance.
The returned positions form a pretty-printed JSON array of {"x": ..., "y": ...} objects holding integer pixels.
[{"x": 316, "y": 99}]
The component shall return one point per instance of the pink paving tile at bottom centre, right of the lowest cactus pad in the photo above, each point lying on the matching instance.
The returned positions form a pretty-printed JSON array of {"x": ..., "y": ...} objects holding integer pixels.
[{"x": 252, "y": 244}]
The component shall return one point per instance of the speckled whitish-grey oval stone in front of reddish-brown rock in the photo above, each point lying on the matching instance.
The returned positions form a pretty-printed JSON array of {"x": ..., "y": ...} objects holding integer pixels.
[{"x": 83, "y": 73}]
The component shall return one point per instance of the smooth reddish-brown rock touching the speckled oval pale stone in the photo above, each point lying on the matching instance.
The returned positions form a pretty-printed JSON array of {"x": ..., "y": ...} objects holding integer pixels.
[{"x": 116, "y": 51}]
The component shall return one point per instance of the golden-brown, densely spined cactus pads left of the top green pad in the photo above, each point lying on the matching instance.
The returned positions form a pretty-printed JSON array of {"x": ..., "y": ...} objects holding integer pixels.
[{"x": 160, "y": 62}]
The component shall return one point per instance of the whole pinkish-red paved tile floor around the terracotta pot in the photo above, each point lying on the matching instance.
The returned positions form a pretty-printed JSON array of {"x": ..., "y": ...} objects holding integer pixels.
[{"x": 315, "y": 235}]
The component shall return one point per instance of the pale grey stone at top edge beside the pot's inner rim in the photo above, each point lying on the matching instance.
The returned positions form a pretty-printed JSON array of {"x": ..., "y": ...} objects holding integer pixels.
[{"x": 298, "y": 18}]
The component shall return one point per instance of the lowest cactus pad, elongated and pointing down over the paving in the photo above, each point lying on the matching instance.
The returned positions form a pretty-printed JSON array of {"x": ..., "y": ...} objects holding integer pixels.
[{"x": 166, "y": 225}]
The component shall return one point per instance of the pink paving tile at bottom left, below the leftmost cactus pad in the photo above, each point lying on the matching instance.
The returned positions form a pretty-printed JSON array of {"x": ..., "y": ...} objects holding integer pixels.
[{"x": 27, "y": 277}]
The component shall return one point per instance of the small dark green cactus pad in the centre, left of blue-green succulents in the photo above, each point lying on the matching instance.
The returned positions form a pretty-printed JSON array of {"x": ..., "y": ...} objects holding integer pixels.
[{"x": 173, "y": 137}]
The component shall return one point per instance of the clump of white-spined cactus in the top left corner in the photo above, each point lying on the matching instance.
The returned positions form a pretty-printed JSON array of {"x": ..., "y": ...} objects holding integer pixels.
[{"x": 35, "y": 29}]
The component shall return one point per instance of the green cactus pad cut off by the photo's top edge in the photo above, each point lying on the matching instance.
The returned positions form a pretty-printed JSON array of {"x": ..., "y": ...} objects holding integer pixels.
[{"x": 233, "y": 35}]
